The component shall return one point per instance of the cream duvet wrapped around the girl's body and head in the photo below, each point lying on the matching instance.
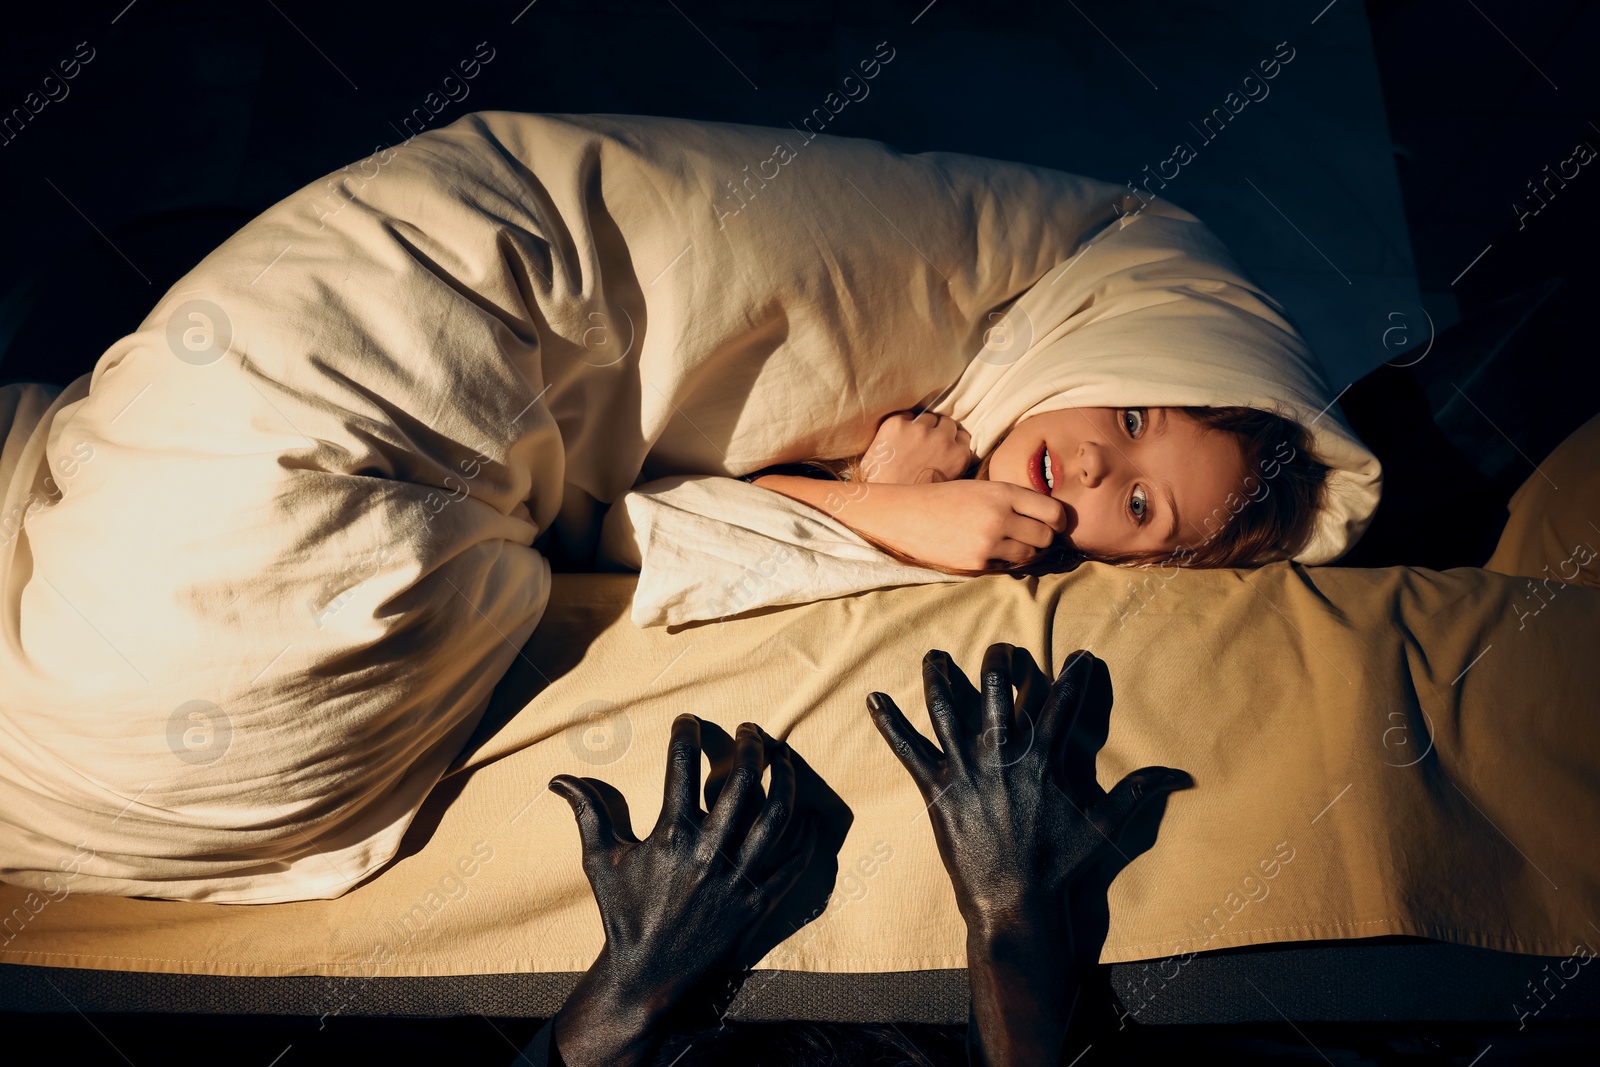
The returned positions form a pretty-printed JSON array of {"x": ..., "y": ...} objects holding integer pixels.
[{"x": 262, "y": 570}]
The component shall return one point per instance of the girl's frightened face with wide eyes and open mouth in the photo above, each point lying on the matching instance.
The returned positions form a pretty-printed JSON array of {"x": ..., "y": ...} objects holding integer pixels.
[{"x": 1134, "y": 479}]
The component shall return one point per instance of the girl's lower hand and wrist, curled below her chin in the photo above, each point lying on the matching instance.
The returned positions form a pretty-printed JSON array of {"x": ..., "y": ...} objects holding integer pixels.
[{"x": 961, "y": 526}]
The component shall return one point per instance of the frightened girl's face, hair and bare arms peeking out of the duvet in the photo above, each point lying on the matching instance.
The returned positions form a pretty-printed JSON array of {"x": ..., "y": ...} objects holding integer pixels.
[{"x": 1194, "y": 487}]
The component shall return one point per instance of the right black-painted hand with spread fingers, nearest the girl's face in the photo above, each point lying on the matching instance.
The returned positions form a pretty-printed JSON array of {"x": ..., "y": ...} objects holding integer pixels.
[{"x": 1015, "y": 834}]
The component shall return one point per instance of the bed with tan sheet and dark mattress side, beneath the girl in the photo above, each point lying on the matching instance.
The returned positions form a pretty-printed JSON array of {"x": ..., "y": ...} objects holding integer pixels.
[{"x": 1423, "y": 786}]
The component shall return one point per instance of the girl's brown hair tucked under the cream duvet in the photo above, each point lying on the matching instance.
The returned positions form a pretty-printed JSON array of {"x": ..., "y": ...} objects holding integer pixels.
[{"x": 1273, "y": 514}]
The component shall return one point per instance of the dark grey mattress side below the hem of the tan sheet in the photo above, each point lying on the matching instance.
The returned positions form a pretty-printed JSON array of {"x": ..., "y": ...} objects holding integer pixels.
[{"x": 1366, "y": 981}]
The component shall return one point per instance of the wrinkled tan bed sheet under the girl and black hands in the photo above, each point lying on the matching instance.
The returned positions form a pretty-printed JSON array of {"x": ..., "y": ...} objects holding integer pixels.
[{"x": 1375, "y": 753}]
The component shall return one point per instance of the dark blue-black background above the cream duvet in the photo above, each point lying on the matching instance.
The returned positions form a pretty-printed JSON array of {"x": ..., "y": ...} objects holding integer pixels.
[{"x": 193, "y": 118}]
